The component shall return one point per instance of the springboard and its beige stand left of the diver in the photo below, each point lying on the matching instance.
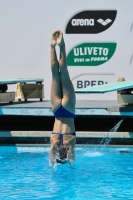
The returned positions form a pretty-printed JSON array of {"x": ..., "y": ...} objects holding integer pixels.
[{"x": 27, "y": 88}]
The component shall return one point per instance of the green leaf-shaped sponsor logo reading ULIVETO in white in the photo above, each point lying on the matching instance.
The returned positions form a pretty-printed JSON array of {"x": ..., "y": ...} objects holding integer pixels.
[{"x": 91, "y": 54}]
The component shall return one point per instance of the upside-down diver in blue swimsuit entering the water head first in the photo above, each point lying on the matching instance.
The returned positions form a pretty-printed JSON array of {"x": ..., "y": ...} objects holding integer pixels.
[{"x": 63, "y": 137}]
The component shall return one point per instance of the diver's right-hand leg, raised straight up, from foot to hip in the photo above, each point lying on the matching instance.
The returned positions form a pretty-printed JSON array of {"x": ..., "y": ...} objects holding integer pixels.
[{"x": 68, "y": 100}]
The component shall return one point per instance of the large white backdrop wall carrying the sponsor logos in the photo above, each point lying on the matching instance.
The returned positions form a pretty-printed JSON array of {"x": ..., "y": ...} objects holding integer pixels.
[{"x": 98, "y": 37}]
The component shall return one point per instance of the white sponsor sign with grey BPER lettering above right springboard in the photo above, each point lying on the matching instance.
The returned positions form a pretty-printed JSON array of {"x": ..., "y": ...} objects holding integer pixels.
[{"x": 86, "y": 80}]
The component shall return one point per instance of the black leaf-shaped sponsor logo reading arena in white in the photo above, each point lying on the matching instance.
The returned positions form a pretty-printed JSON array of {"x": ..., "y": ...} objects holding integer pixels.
[{"x": 91, "y": 21}]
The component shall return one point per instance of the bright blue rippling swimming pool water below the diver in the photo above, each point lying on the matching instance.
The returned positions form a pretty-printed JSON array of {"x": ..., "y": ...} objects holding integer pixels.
[{"x": 99, "y": 173}]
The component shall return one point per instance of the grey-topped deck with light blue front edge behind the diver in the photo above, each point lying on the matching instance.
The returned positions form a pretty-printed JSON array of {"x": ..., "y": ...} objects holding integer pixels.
[{"x": 83, "y": 108}]
